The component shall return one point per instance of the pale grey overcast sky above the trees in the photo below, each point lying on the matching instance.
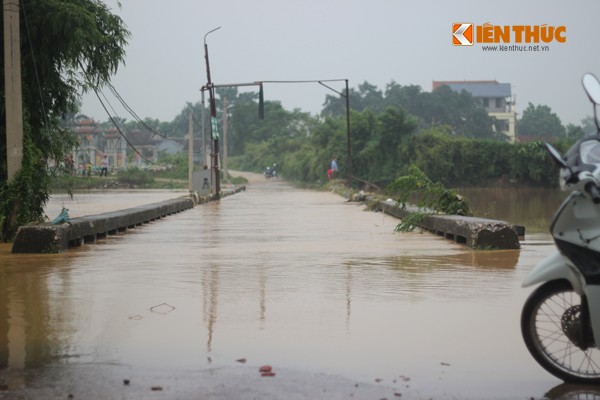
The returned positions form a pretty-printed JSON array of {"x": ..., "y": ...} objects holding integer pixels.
[{"x": 377, "y": 41}]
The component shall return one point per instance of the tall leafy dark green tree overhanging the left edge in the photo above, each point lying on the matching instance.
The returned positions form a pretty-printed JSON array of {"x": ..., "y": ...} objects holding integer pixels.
[{"x": 68, "y": 46}]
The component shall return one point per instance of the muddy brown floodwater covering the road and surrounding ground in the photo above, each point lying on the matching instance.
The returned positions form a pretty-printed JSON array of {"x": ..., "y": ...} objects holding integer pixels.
[{"x": 325, "y": 292}]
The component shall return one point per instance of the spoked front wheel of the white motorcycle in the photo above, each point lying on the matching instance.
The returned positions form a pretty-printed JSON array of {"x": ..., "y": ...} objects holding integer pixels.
[{"x": 551, "y": 323}]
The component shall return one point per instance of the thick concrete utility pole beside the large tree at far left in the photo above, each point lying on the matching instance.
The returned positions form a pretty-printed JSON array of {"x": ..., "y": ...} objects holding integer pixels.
[{"x": 13, "y": 91}]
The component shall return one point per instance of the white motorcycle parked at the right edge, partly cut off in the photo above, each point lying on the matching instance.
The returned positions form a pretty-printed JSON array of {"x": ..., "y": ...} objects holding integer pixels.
[{"x": 560, "y": 320}]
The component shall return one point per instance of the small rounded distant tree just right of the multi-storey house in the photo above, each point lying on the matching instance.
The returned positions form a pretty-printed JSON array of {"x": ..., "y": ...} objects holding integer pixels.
[{"x": 540, "y": 121}]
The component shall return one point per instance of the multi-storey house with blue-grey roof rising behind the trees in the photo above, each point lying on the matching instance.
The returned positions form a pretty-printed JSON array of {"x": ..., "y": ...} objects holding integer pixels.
[{"x": 495, "y": 97}]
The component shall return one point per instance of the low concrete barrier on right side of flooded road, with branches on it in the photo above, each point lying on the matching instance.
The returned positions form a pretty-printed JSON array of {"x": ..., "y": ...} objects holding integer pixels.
[{"x": 474, "y": 232}]
